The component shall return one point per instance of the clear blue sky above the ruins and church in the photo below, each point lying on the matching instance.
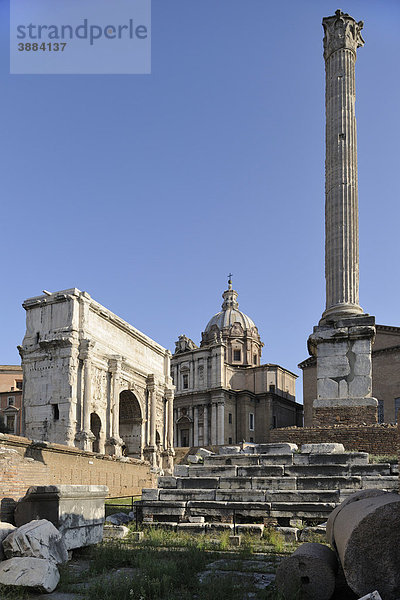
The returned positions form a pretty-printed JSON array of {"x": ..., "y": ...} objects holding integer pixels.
[{"x": 146, "y": 190}]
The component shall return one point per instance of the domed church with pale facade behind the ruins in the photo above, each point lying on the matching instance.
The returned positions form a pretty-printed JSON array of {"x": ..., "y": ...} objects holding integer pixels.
[{"x": 223, "y": 394}]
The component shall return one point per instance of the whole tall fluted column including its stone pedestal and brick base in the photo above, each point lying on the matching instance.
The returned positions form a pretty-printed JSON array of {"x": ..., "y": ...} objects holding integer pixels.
[{"x": 342, "y": 342}]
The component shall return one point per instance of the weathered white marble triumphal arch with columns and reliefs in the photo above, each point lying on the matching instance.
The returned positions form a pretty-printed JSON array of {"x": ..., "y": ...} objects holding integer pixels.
[{"x": 93, "y": 381}]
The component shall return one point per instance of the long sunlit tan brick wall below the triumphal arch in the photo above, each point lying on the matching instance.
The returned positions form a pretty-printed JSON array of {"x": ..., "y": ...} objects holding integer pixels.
[{"x": 24, "y": 463}]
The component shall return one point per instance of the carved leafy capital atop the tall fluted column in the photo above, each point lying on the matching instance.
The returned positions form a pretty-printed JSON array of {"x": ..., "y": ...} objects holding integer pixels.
[{"x": 341, "y": 31}]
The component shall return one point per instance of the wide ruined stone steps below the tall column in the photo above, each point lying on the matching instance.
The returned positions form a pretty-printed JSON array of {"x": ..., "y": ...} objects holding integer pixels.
[{"x": 262, "y": 484}]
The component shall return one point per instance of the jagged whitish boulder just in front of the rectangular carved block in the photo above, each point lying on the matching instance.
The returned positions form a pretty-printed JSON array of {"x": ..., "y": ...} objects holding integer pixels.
[{"x": 37, "y": 539}]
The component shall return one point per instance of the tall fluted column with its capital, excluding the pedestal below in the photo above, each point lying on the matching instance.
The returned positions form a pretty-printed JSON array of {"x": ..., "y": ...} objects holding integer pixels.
[{"x": 342, "y": 38}]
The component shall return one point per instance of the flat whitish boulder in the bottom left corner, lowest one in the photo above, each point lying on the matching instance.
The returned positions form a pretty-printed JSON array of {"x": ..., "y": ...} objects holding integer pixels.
[{"x": 35, "y": 573}]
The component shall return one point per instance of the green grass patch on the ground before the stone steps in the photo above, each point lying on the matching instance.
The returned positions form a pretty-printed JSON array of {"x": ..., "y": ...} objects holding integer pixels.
[{"x": 166, "y": 566}]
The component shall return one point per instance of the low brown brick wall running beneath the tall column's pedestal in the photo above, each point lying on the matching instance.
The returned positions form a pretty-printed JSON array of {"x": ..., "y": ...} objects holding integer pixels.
[{"x": 376, "y": 439}]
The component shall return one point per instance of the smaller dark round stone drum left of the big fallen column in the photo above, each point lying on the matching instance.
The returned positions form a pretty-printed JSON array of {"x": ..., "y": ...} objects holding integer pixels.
[{"x": 308, "y": 573}]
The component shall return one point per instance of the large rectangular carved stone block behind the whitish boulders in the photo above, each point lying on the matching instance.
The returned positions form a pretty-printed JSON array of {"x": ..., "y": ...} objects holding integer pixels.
[{"x": 77, "y": 511}]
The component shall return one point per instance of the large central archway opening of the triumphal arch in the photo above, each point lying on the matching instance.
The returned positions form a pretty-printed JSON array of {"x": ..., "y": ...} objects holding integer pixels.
[{"x": 130, "y": 423}]
